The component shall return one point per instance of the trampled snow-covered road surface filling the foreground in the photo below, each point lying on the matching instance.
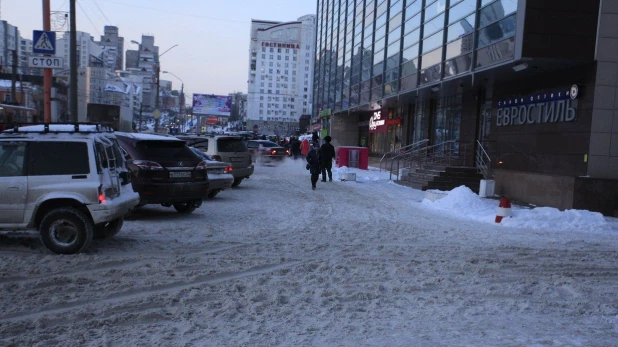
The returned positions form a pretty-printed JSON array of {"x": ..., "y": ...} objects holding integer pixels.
[{"x": 274, "y": 263}]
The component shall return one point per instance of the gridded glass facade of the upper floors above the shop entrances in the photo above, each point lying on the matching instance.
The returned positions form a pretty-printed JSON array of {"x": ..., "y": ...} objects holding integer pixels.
[{"x": 371, "y": 49}]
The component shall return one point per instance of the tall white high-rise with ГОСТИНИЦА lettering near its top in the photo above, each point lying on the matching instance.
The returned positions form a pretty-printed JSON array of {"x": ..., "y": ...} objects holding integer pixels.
[{"x": 280, "y": 74}]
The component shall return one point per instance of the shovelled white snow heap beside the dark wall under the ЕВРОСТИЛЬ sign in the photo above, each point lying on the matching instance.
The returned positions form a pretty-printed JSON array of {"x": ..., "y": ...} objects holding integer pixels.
[{"x": 464, "y": 203}]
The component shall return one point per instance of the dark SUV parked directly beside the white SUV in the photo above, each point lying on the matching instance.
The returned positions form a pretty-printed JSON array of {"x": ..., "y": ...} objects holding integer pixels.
[{"x": 165, "y": 171}]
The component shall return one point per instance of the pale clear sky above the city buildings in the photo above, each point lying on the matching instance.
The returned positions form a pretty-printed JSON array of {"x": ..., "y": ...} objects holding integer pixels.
[{"x": 212, "y": 35}]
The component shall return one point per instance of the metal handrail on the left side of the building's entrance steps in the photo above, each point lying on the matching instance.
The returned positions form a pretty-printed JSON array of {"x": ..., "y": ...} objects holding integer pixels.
[{"x": 445, "y": 153}]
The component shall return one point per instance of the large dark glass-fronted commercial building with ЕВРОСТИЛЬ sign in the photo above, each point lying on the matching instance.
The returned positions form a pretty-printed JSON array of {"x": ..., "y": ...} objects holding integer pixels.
[{"x": 531, "y": 82}]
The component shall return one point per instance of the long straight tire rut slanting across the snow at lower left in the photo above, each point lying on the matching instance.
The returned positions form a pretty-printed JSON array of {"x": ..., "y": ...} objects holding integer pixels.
[{"x": 136, "y": 294}]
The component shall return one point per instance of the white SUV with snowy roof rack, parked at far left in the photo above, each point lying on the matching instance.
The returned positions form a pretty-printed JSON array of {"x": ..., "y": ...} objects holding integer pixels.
[{"x": 70, "y": 182}]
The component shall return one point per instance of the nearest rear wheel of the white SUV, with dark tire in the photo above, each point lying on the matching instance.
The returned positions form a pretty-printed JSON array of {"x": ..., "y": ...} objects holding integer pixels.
[{"x": 66, "y": 230}]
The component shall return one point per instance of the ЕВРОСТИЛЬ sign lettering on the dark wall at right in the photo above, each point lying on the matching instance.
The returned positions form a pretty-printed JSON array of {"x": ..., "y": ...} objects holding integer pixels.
[{"x": 552, "y": 107}]
